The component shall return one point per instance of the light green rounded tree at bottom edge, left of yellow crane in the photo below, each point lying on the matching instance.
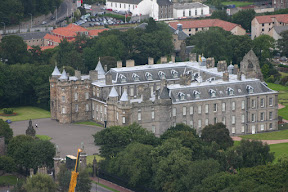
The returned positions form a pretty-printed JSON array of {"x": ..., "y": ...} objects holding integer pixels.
[{"x": 40, "y": 182}]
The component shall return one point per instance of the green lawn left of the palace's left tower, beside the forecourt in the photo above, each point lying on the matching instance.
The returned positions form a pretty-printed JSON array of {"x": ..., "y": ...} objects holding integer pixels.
[{"x": 26, "y": 113}]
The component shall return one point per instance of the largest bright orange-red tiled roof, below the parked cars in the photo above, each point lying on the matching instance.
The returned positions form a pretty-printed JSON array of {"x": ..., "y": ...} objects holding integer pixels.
[{"x": 69, "y": 31}]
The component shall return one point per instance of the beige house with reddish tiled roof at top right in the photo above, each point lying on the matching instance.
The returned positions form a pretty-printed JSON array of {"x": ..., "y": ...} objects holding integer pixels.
[{"x": 264, "y": 24}]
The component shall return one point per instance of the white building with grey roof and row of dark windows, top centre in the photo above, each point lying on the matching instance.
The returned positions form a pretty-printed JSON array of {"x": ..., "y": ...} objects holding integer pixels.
[{"x": 186, "y": 10}]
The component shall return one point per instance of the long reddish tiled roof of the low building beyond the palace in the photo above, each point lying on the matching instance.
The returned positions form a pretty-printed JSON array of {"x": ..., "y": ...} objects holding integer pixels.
[{"x": 205, "y": 23}]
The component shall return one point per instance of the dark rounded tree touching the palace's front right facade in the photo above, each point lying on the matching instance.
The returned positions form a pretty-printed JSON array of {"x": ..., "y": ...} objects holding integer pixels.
[{"x": 218, "y": 133}]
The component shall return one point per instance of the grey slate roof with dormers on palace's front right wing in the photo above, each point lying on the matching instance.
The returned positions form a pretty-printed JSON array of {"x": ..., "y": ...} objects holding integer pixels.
[{"x": 240, "y": 89}]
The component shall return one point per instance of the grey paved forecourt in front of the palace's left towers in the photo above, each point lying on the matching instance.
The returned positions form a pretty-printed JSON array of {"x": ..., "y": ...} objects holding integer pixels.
[{"x": 68, "y": 137}]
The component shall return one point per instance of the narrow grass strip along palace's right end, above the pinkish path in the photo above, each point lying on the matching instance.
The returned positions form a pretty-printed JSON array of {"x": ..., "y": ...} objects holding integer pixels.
[{"x": 276, "y": 135}]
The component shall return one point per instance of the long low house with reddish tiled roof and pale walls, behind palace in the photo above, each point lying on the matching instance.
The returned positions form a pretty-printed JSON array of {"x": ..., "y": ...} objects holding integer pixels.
[{"x": 190, "y": 27}]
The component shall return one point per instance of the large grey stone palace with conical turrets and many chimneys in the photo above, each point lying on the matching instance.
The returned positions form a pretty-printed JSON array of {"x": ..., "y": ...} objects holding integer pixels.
[{"x": 158, "y": 96}]
